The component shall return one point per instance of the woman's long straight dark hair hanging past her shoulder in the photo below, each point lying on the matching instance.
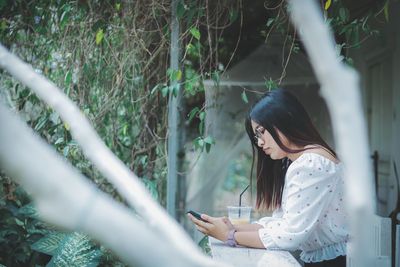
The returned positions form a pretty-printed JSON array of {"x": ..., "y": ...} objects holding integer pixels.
[{"x": 279, "y": 110}]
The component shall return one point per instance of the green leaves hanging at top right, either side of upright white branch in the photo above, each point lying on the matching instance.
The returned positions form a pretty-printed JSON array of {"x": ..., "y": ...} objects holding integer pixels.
[{"x": 350, "y": 30}]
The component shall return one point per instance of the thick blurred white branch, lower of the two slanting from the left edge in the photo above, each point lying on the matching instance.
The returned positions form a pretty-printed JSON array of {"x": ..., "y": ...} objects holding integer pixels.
[{"x": 66, "y": 198}]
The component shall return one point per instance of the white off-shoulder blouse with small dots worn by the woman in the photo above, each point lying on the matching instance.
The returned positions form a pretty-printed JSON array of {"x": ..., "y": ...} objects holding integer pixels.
[{"x": 312, "y": 216}]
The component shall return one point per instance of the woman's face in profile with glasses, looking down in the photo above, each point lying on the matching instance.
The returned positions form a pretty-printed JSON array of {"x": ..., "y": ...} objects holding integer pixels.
[{"x": 265, "y": 141}]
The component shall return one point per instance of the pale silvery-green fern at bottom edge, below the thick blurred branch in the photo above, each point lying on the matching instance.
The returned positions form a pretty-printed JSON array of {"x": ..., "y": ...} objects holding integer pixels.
[{"x": 76, "y": 250}]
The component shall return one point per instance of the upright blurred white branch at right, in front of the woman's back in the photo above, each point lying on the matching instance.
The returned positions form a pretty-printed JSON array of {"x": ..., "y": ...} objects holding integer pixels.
[{"x": 340, "y": 89}]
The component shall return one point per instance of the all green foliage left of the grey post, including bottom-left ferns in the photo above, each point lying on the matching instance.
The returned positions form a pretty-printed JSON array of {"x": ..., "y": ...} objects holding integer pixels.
[{"x": 104, "y": 58}]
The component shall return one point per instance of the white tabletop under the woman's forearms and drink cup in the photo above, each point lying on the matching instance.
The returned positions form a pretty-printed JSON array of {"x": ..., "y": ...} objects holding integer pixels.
[{"x": 250, "y": 257}]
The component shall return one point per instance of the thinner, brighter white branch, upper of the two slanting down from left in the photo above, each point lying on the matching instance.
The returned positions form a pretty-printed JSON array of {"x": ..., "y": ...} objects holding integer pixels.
[{"x": 109, "y": 165}]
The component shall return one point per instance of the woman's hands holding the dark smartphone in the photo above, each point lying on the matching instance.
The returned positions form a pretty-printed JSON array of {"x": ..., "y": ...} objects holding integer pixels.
[{"x": 217, "y": 227}]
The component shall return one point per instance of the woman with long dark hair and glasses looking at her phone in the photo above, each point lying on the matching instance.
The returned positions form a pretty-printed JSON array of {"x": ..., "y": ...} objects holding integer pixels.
[{"x": 300, "y": 178}]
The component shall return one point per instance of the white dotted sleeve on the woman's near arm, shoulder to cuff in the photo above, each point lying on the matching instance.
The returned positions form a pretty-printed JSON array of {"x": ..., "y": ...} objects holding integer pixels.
[{"x": 309, "y": 189}]
